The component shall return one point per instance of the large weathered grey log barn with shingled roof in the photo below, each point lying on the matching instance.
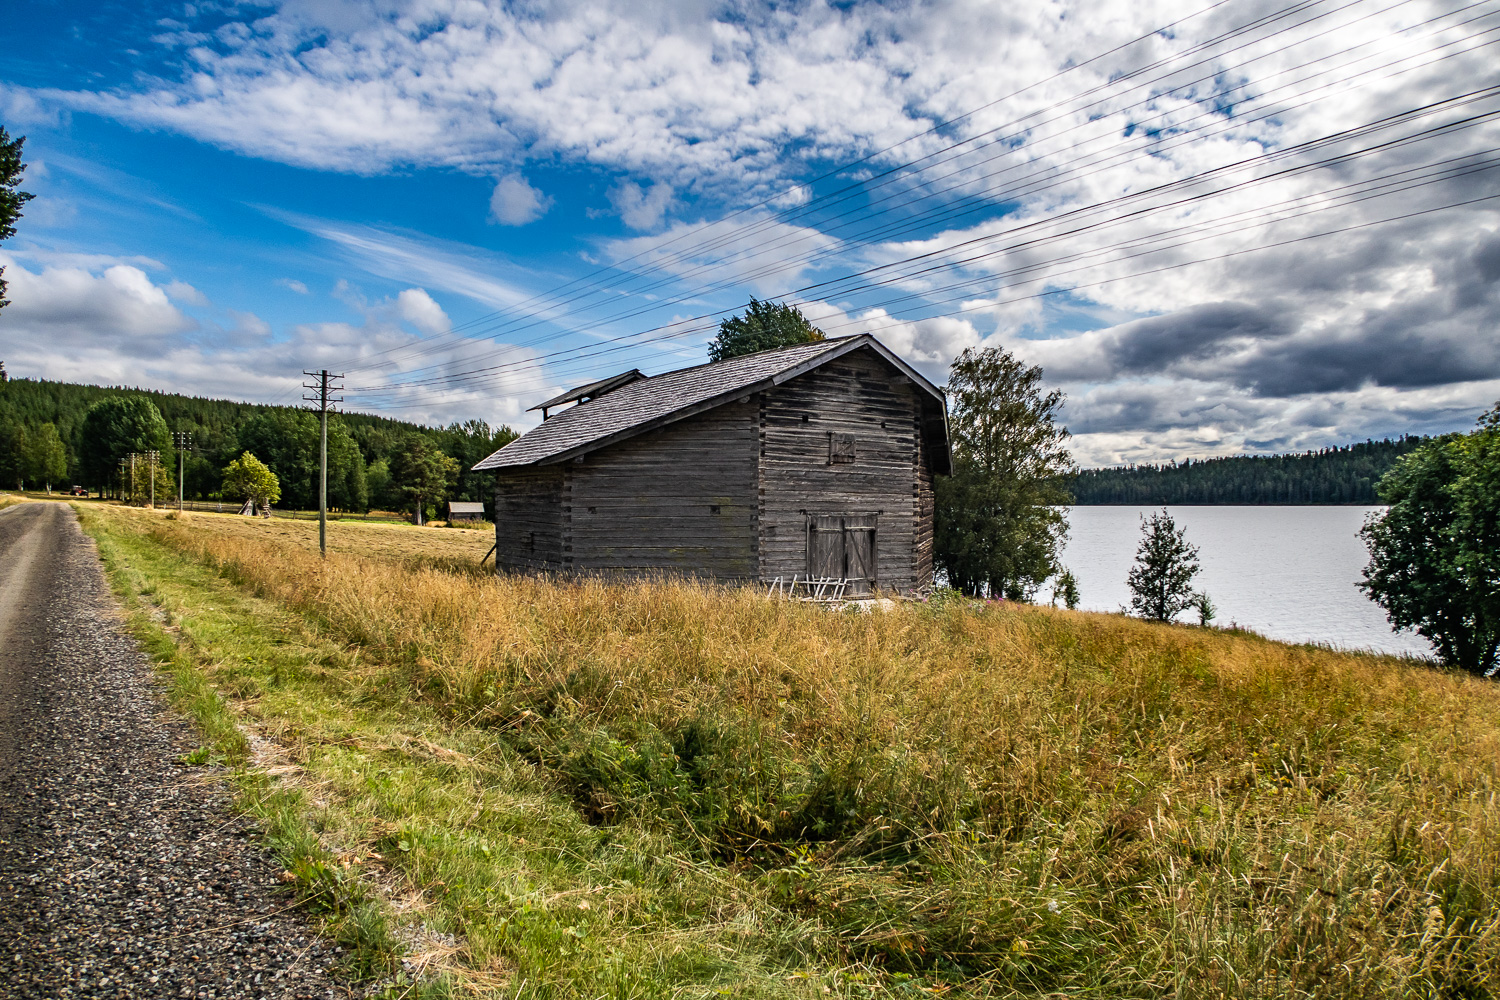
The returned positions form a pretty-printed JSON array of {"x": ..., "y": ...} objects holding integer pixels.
[{"x": 806, "y": 461}]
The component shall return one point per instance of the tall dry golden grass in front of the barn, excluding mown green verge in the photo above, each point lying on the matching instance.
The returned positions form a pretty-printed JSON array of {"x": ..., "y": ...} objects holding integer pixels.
[{"x": 991, "y": 800}]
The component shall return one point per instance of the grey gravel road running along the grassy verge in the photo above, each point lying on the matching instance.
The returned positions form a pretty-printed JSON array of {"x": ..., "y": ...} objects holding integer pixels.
[{"x": 122, "y": 872}]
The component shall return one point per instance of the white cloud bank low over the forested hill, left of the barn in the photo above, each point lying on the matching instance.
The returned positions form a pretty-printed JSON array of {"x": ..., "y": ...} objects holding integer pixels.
[{"x": 115, "y": 325}]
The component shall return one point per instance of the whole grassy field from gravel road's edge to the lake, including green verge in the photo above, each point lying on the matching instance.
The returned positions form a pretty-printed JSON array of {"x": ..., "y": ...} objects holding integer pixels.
[{"x": 536, "y": 789}]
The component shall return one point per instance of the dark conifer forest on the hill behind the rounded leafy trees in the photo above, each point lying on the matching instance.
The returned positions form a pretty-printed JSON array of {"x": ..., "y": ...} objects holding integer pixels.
[{"x": 361, "y": 446}]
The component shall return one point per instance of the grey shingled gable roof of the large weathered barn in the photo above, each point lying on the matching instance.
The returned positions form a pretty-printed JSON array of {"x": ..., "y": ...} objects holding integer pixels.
[{"x": 662, "y": 400}]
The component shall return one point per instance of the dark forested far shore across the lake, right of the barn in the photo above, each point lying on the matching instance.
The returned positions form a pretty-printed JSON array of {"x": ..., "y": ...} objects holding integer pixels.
[{"x": 1334, "y": 476}]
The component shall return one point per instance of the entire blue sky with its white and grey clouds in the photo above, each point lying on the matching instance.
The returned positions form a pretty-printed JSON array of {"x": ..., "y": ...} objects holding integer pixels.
[{"x": 469, "y": 206}]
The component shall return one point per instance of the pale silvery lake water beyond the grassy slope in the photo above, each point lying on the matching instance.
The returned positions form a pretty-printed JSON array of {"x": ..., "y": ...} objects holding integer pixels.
[{"x": 1285, "y": 572}]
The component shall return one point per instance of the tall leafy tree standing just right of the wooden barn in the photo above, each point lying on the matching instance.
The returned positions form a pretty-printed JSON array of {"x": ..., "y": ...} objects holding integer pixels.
[{"x": 1000, "y": 522}]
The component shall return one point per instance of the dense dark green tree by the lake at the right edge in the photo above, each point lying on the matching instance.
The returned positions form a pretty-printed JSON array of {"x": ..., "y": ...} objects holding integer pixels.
[{"x": 1435, "y": 554}]
